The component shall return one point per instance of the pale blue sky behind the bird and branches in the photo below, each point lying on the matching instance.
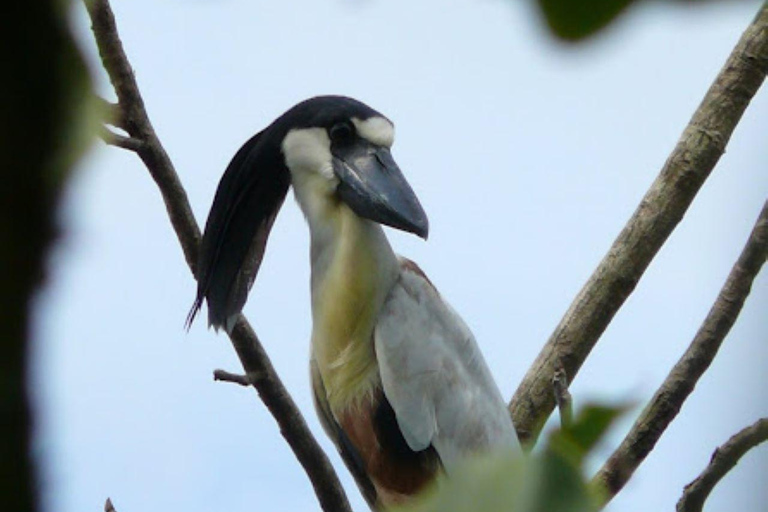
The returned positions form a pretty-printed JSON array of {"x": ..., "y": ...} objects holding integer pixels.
[{"x": 528, "y": 157}]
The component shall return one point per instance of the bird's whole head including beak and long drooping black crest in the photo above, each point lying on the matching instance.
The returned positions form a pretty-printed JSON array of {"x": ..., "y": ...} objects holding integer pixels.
[{"x": 333, "y": 150}]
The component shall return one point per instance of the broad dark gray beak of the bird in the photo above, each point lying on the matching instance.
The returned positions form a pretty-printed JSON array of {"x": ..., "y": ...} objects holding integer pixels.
[{"x": 372, "y": 185}]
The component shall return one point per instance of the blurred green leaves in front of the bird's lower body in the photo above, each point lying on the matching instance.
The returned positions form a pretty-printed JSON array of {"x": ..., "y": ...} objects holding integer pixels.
[{"x": 551, "y": 480}]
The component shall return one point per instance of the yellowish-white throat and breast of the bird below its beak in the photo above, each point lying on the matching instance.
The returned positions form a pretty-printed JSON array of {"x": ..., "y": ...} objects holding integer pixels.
[{"x": 353, "y": 270}]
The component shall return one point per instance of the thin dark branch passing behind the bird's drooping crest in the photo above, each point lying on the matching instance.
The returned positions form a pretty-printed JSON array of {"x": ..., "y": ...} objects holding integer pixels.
[{"x": 254, "y": 359}]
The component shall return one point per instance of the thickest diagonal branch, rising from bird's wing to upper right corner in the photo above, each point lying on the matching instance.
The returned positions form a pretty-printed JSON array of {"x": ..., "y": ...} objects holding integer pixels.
[{"x": 662, "y": 208}]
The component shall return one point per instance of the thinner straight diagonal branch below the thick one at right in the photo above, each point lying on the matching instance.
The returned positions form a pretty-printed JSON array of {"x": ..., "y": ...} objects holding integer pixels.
[{"x": 669, "y": 398}]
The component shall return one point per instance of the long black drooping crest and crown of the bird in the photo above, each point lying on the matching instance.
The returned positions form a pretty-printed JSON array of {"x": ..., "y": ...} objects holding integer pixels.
[{"x": 247, "y": 201}]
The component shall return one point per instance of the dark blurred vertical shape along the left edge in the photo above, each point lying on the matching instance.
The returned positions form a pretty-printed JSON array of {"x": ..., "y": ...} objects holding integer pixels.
[{"x": 46, "y": 90}]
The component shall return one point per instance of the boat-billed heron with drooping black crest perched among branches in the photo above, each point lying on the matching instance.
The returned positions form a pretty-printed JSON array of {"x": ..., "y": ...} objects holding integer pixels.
[{"x": 398, "y": 381}]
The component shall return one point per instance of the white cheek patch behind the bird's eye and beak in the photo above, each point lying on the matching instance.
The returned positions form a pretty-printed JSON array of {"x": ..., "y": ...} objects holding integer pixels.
[{"x": 308, "y": 150}]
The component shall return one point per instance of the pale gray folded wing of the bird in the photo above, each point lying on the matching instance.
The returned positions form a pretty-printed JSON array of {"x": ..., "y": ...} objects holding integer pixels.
[{"x": 434, "y": 375}]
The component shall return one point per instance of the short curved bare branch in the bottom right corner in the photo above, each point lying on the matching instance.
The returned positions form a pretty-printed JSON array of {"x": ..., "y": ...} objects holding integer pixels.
[{"x": 723, "y": 460}]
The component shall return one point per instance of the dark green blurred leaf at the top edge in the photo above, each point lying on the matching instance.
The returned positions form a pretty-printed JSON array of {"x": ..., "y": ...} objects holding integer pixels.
[{"x": 575, "y": 20}]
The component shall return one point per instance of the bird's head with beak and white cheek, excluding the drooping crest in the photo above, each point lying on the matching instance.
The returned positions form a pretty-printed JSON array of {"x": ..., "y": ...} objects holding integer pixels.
[{"x": 339, "y": 147}]
